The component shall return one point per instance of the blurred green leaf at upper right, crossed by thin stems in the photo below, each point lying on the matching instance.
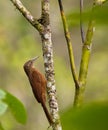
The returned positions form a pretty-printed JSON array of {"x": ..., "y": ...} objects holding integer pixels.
[{"x": 100, "y": 15}]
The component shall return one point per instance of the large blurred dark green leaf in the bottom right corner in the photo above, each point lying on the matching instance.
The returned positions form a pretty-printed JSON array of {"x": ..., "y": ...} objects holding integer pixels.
[{"x": 90, "y": 117}]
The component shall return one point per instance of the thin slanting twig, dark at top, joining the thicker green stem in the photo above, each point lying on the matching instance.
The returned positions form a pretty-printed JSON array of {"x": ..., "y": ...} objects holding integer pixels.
[{"x": 69, "y": 44}]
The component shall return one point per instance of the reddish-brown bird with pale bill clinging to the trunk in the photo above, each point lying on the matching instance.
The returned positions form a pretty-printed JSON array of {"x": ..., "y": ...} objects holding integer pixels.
[{"x": 38, "y": 84}]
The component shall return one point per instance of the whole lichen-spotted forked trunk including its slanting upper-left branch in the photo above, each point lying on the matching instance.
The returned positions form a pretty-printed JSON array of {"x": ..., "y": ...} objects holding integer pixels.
[{"x": 43, "y": 27}]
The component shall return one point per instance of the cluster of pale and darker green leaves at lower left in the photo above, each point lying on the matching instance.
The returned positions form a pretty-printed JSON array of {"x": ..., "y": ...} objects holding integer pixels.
[{"x": 17, "y": 109}]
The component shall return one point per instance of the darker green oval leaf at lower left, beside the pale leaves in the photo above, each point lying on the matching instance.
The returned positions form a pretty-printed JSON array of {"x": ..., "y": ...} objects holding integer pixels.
[{"x": 16, "y": 108}]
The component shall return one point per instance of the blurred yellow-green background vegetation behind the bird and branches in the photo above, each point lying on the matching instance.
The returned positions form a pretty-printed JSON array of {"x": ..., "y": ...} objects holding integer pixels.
[{"x": 19, "y": 42}]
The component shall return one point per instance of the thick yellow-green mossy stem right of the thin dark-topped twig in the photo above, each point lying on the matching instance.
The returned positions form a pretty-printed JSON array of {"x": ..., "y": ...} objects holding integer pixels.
[{"x": 86, "y": 51}]
